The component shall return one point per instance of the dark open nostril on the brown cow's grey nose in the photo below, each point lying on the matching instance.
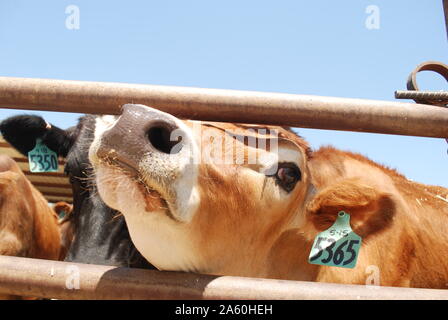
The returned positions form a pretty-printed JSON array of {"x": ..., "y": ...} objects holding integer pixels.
[{"x": 164, "y": 139}]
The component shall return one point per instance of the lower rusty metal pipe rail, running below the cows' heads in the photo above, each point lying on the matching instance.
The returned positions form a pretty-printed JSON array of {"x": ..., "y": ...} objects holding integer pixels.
[{"x": 55, "y": 279}]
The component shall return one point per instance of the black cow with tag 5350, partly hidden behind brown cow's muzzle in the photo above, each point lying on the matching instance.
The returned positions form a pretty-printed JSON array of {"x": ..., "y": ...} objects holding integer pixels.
[{"x": 100, "y": 233}]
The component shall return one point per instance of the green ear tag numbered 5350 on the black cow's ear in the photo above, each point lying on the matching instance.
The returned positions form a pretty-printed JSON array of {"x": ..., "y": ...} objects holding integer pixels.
[{"x": 42, "y": 158}]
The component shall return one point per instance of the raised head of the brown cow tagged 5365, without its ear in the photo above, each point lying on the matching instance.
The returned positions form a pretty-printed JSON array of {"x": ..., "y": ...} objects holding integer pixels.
[{"x": 200, "y": 196}]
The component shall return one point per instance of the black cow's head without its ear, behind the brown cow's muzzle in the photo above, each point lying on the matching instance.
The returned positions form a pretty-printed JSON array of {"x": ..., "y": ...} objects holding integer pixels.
[{"x": 101, "y": 235}]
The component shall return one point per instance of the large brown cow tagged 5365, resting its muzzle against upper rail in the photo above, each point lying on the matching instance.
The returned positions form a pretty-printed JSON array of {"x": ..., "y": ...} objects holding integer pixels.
[{"x": 258, "y": 215}]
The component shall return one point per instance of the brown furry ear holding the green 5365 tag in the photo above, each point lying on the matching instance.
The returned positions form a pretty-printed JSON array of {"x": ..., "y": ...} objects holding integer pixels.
[{"x": 371, "y": 210}]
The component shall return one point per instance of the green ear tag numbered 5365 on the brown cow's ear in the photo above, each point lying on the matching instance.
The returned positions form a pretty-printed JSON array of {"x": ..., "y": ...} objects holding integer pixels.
[{"x": 338, "y": 246}]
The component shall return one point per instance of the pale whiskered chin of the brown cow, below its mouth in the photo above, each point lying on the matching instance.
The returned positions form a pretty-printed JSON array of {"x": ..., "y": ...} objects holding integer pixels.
[{"x": 124, "y": 192}]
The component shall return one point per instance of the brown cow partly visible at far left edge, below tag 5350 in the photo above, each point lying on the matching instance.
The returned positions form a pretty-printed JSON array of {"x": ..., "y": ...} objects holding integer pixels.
[{"x": 28, "y": 226}]
